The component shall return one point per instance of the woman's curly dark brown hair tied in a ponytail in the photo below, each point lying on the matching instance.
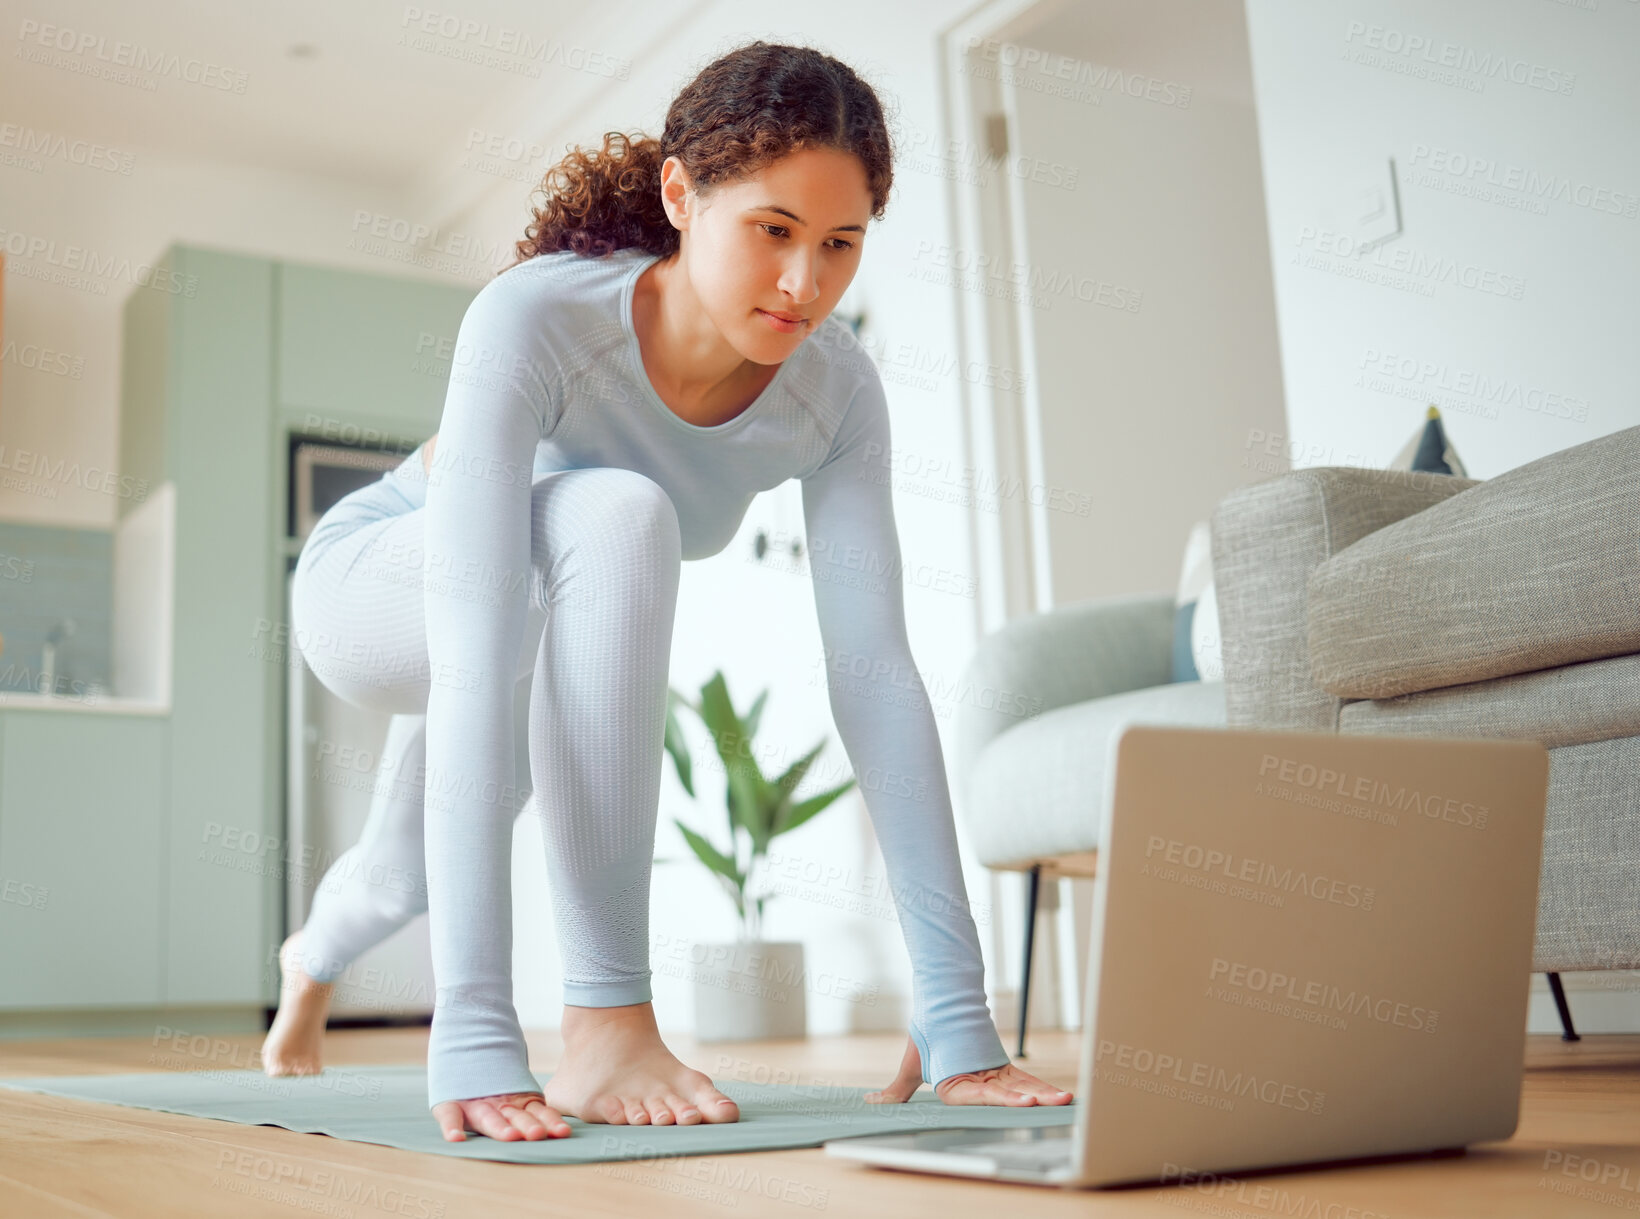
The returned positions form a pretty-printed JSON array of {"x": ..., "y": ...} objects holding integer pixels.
[{"x": 742, "y": 112}]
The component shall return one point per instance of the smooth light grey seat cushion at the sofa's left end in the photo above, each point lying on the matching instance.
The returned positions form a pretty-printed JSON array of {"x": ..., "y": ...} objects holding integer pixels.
[{"x": 1034, "y": 793}]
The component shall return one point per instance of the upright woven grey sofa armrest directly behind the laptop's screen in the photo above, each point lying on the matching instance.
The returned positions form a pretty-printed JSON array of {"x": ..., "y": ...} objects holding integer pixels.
[{"x": 1267, "y": 539}]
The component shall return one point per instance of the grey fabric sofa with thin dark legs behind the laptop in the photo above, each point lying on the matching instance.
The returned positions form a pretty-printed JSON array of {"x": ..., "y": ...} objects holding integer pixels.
[{"x": 1373, "y": 603}]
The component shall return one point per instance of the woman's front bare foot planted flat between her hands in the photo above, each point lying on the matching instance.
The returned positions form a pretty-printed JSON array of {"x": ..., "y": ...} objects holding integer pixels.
[{"x": 617, "y": 1071}]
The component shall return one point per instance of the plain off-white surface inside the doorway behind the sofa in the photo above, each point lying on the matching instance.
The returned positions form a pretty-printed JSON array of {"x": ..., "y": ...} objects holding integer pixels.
[{"x": 1152, "y": 375}]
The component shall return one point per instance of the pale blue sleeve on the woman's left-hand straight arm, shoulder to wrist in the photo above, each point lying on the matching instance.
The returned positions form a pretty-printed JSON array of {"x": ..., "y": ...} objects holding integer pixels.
[{"x": 476, "y": 601}]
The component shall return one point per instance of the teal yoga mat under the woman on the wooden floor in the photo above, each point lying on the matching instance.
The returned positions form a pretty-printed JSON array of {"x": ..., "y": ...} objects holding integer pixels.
[{"x": 388, "y": 1105}]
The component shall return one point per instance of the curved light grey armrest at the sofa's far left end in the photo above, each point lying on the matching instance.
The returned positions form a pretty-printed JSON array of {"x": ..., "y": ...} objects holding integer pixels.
[{"x": 1057, "y": 659}]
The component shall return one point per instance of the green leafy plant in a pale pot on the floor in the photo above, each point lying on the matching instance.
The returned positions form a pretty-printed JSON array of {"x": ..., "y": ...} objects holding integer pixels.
[{"x": 752, "y": 988}]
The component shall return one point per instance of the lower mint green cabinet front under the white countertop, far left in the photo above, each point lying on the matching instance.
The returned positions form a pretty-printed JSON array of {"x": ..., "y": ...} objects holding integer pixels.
[{"x": 83, "y": 859}]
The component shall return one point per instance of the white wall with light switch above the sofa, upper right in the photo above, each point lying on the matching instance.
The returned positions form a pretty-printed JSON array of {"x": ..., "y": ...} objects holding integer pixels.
[{"x": 1508, "y": 299}]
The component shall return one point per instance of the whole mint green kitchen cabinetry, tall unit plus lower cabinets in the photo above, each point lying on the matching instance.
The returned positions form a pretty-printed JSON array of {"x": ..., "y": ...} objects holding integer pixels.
[{"x": 142, "y": 857}]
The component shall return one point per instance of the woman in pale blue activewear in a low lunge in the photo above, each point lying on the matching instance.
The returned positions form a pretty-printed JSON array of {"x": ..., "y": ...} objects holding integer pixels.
[{"x": 658, "y": 355}]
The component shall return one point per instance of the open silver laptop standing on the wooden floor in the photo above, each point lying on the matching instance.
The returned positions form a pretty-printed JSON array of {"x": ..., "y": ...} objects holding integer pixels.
[{"x": 1305, "y": 949}]
